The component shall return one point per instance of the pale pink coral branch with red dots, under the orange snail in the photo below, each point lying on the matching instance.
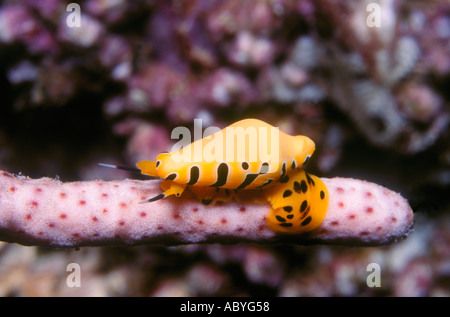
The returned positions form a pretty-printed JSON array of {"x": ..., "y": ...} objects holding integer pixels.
[{"x": 47, "y": 212}]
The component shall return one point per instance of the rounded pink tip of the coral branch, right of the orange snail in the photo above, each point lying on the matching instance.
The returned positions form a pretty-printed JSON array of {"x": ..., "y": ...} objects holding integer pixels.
[{"x": 366, "y": 211}]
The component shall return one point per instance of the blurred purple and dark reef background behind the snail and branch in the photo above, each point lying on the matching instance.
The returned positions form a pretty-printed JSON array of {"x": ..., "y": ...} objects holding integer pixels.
[{"x": 375, "y": 101}]
